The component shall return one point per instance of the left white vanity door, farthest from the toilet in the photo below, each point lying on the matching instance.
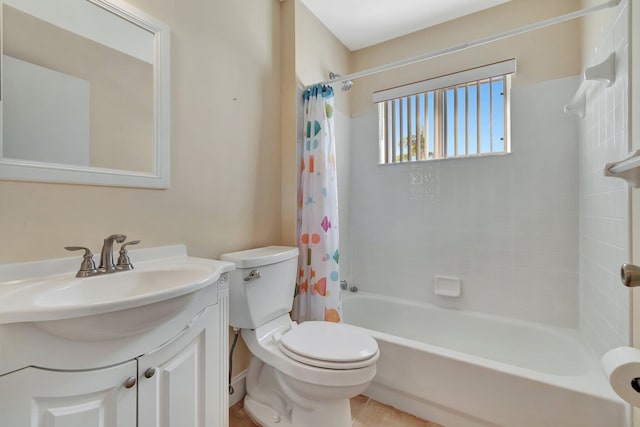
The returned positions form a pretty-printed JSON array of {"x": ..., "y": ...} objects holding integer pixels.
[{"x": 38, "y": 397}]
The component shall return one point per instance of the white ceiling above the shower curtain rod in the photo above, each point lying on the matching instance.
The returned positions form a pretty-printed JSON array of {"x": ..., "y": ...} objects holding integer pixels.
[{"x": 362, "y": 23}]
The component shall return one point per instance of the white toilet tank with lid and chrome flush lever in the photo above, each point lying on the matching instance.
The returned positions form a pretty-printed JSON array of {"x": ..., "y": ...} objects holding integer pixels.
[{"x": 262, "y": 286}]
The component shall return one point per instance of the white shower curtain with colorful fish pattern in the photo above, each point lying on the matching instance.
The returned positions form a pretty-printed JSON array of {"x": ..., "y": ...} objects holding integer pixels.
[{"x": 318, "y": 283}]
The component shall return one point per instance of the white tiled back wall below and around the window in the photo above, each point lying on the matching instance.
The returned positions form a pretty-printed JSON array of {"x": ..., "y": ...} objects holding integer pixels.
[{"x": 508, "y": 225}]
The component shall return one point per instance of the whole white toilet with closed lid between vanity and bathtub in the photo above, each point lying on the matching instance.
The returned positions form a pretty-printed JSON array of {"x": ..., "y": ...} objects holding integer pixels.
[{"x": 300, "y": 375}]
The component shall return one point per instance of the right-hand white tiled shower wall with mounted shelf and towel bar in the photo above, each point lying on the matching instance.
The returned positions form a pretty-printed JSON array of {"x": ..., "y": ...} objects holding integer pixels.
[{"x": 604, "y": 201}]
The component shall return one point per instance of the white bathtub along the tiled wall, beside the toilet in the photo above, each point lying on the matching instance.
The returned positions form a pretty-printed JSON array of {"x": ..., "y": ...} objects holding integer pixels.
[{"x": 469, "y": 369}]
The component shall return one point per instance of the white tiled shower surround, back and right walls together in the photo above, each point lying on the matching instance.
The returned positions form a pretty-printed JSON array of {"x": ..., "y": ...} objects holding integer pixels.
[{"x": 516, "y": 229}]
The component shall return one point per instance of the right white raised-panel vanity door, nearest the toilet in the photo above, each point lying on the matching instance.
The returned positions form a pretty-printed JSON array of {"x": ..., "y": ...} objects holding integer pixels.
[{"x": 179, "y": 383}]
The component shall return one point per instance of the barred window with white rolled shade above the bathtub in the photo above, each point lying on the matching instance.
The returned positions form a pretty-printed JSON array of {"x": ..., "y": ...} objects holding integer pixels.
[{"x": 464, "y": 114}]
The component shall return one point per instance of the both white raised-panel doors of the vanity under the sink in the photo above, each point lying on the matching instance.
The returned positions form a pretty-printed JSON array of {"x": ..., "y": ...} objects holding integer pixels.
[{"x": 178, "y": 384}]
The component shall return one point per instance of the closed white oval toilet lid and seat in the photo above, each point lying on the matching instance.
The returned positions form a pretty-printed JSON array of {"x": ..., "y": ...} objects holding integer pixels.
[{"x": 330, "y": 345}]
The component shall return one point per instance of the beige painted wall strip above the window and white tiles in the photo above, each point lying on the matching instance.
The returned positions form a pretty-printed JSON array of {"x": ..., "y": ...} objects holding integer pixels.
[{"x": 544, "y": 54}]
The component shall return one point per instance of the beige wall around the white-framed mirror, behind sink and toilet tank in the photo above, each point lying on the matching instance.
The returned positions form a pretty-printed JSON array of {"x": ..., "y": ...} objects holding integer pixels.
[{"x": 225, "y": 149}]
